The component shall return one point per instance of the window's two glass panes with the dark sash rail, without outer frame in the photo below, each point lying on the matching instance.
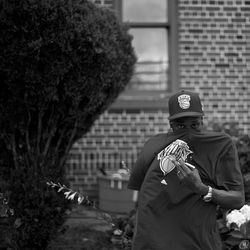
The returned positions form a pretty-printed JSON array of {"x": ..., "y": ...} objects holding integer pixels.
[{"x": 148, "y": 24}]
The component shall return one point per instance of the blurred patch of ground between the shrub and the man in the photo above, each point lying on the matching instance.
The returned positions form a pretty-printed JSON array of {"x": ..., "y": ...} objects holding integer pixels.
[{"x": 85, "y": 229}]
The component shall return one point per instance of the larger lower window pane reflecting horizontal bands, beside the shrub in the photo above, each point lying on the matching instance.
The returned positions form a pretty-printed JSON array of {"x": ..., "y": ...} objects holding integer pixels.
[{"x": 151, "y": 49}]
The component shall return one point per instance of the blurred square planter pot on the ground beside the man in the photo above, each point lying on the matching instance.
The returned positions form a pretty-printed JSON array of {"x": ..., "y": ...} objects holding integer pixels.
[{"x": 114, "y": 196}]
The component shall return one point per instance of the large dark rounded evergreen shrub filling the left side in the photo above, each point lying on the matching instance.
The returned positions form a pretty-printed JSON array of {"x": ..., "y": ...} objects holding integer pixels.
[{"x": 62, "y": 63}]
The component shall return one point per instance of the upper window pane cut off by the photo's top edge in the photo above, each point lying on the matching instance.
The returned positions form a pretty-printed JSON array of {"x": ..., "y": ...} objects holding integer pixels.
[{"x": 144, "y": 10}]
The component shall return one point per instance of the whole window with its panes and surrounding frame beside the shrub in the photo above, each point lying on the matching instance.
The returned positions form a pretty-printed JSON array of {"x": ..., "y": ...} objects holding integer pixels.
[{"x": 153, "y": 27}]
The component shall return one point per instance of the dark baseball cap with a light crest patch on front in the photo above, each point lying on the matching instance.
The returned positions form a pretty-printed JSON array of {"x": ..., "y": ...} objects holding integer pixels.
[{"x": 184, "y": 104}]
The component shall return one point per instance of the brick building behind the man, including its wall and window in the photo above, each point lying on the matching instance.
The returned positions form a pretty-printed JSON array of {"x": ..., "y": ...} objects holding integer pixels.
[{"x": 198, "y": 45}]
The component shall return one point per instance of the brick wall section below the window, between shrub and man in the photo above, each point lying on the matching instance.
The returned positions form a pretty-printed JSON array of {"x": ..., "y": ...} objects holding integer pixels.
[{"x": 116, "y": 136}]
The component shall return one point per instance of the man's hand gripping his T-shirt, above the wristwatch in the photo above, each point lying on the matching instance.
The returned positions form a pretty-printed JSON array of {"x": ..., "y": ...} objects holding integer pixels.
[{"x": 190, "y": 177}]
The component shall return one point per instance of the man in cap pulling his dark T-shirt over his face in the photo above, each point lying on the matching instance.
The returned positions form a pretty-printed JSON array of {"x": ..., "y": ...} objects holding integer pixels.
[{"x": 182, "y": 177}]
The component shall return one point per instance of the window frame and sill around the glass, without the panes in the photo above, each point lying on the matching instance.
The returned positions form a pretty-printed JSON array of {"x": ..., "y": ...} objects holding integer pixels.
[{"x": 153, "y": 99}]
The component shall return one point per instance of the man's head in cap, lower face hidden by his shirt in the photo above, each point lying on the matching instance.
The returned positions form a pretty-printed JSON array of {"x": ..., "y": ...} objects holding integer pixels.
[{"x": 185, "y": 111}]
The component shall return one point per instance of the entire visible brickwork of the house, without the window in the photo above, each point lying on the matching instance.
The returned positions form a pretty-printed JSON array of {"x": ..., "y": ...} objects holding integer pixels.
[{"x": 214, "y": 60}]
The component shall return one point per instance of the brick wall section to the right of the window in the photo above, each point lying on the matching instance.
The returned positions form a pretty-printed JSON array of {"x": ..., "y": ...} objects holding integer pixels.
[{"x": 214, "y": 57}]
